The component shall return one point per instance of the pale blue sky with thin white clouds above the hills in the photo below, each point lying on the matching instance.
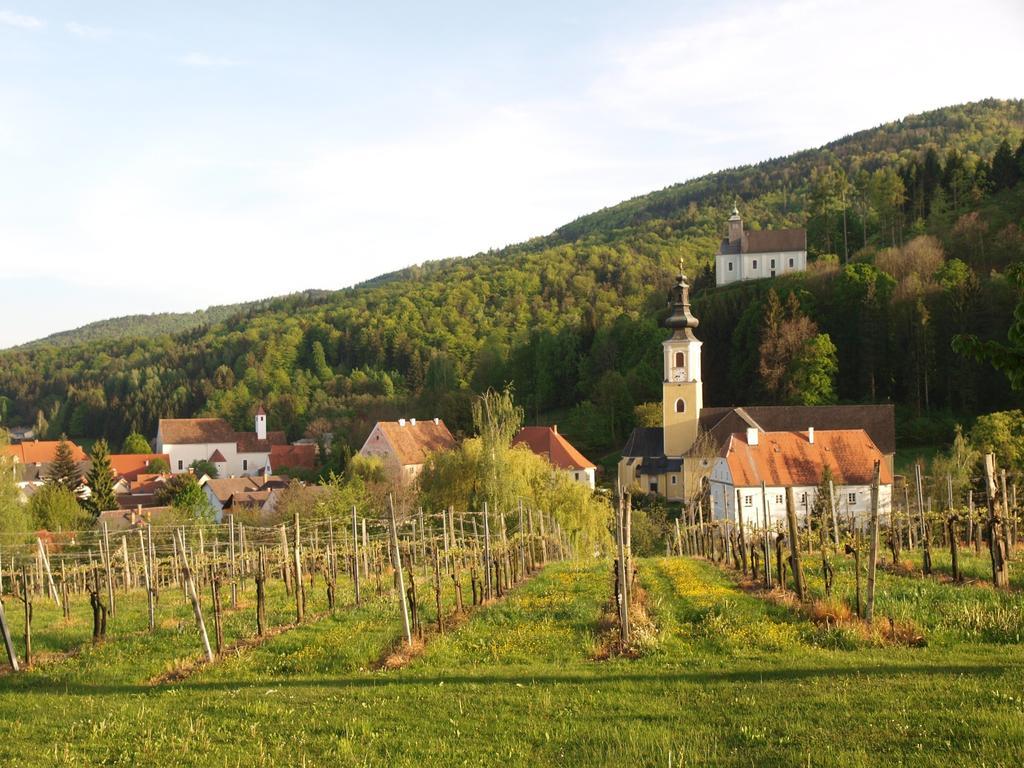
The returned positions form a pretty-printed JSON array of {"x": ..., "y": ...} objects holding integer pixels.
[{"x": 167, "y": 156}]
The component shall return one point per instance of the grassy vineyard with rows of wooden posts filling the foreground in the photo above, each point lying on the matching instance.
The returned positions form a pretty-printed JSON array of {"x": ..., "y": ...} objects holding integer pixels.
[{"x": 497, "y": 642}]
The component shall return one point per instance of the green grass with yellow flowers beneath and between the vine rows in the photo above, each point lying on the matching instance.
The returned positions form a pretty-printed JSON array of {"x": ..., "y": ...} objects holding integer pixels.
[{"x": 730, "y": 679}]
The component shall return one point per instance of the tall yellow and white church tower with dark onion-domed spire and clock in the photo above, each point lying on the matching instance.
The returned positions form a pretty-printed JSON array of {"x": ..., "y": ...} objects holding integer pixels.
[{"x": 682, "y": 393}]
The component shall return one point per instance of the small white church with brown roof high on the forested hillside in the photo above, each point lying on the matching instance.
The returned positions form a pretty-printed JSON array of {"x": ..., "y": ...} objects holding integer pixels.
[{"x": 755, "y": 254}]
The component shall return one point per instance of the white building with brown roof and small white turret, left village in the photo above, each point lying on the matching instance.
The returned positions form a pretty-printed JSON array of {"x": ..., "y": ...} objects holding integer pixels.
[{"x": 188, "y": 441}]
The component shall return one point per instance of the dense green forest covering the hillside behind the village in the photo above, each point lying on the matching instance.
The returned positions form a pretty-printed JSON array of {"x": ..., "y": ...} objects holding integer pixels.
[{"x": 912, "y": 228}]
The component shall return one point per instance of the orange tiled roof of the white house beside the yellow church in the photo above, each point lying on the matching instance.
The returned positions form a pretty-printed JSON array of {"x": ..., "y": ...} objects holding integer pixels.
[{"x": 784, "y": 459}]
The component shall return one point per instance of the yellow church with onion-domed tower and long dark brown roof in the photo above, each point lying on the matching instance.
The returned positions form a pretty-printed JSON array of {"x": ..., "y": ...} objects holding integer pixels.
[{"x": 671, "y": 460}]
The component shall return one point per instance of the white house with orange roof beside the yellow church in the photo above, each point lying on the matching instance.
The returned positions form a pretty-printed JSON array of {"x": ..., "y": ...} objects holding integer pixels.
[{"x": 757, "y": 468}]
